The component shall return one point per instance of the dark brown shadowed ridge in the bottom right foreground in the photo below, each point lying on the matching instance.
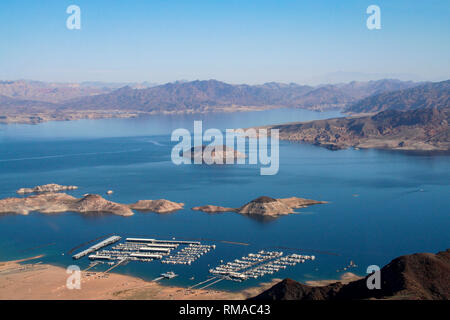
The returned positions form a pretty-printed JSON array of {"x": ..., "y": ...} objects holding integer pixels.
[{"x": 420, "y": 276}]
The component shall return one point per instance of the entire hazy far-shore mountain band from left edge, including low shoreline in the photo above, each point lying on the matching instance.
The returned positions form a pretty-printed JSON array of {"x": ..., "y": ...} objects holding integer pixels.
[{"x": 199, "y": 96}]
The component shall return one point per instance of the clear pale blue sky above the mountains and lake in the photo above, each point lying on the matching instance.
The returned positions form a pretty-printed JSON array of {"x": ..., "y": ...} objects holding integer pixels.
[{"x": 234, "y": 41}]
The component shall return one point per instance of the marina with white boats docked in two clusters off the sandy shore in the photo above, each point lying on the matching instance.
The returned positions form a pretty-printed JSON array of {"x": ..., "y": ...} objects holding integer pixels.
[{"x": 184, "y": 252}]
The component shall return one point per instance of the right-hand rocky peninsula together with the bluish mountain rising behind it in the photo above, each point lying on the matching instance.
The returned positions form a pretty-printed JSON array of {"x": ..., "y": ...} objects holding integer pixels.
[{"x": 411, "y": 119}]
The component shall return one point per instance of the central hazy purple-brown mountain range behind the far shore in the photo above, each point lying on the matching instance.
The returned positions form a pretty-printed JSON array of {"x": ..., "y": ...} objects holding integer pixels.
[{"x": 209, "y": 95}]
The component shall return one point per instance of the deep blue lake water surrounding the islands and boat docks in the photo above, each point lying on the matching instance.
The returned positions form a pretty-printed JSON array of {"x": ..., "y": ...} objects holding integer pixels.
[{"x": 381, "y": 204}]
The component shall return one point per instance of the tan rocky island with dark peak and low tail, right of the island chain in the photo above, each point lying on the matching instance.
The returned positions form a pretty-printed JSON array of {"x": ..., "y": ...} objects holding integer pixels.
[{"x": 264, "y": 206}]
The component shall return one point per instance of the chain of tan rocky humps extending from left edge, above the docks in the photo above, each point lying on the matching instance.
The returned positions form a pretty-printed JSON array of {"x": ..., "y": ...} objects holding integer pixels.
[{"x": 50, "y": 202}]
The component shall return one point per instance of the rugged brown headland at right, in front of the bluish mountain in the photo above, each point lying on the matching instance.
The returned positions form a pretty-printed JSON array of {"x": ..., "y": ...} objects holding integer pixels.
[{"x": 420, "y": 129}]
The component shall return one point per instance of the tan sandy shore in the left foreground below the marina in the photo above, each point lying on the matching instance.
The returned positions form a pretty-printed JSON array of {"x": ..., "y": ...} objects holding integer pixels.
[{"x": 34, "y": 280}]
